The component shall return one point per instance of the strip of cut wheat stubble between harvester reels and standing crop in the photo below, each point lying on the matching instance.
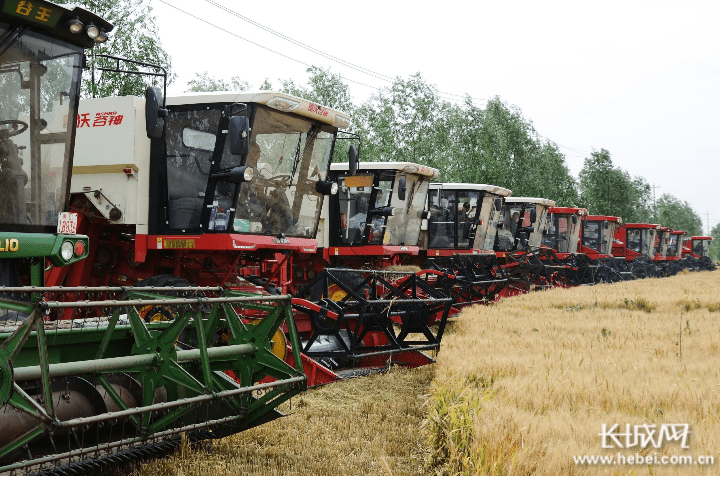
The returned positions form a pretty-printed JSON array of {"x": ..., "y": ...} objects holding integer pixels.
[{"x": 361, "y": 426}]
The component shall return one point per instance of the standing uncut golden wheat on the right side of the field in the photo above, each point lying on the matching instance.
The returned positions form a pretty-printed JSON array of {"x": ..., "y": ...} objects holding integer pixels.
[{"x": 524, "y": 385}]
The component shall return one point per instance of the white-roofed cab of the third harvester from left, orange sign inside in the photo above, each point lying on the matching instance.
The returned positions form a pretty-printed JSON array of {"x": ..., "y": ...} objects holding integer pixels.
[{"x": 379, "y": 208}]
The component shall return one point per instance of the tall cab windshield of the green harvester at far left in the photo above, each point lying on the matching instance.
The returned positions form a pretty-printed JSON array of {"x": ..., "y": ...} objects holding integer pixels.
[{"x": 38, "y": 96}]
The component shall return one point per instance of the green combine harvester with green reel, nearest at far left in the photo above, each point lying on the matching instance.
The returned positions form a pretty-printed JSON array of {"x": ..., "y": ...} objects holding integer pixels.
[{"x": 106, "y": 385}]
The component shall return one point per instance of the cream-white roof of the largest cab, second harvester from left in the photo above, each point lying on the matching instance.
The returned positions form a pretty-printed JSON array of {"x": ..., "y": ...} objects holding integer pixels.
[{"x": 280, "y": 101}]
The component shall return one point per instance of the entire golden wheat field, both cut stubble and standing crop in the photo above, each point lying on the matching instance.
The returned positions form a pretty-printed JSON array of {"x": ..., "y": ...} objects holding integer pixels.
[{"x": 520, "y": 387}]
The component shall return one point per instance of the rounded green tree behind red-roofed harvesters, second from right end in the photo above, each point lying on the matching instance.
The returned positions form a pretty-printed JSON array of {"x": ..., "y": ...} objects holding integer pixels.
[{"x": 608, "y": 190}]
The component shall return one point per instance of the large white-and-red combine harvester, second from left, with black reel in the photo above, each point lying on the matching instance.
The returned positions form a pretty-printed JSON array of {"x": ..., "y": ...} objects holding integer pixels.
[{"x": 226, "y": 190}]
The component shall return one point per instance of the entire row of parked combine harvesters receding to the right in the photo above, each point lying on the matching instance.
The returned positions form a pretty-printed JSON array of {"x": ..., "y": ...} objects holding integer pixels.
[{"x": 183, "y": 265}]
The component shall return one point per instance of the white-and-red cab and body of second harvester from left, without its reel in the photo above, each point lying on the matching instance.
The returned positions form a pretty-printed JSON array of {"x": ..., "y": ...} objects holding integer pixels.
[{"x": 212, "y": 188}]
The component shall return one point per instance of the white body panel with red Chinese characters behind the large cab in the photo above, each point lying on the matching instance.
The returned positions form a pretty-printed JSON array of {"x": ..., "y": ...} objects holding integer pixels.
[{"x": 111, "y": 138}]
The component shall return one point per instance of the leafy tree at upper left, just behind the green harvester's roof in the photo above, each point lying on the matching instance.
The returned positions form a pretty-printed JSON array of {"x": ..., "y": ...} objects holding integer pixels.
[{"x": 134, "y": 37}]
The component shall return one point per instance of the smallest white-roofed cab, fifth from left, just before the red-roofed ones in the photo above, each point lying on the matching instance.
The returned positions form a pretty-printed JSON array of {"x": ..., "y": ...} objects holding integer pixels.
[{"x": 522, "y": 224}]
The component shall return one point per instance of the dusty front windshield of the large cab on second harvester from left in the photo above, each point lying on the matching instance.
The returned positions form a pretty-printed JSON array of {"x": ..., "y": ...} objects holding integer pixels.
[{"x": 289, "y": 155}]
